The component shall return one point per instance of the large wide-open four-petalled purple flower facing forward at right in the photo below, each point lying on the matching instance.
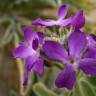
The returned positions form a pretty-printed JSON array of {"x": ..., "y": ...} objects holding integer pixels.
[{"x": 72, "y": 58}]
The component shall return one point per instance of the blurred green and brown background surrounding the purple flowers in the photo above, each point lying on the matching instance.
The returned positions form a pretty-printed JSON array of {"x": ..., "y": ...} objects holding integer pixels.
[{"x": 14, "y": 14}]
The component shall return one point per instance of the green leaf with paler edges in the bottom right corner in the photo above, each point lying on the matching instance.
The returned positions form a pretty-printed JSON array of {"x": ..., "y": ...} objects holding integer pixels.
[{"x": 84, "y": 88}]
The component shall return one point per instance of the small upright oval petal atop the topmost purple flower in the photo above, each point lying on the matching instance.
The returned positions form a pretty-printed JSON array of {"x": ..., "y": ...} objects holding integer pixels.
[{"x": 62, "y": 11}]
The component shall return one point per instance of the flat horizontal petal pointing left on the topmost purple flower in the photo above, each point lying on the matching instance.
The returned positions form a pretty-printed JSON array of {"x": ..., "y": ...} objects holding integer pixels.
[{"x": 40, "y": 22}]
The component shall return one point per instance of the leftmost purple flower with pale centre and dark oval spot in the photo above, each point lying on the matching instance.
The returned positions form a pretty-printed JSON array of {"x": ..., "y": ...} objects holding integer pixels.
[{"x": 30, "y": 51}]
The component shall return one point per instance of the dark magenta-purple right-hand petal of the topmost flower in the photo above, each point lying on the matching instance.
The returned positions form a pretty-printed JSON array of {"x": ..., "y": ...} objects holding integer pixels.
[{"x": 78, "y": 20}]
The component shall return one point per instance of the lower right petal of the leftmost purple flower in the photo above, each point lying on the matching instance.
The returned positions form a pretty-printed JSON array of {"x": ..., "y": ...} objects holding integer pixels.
[{"x": 39, "y": 66}]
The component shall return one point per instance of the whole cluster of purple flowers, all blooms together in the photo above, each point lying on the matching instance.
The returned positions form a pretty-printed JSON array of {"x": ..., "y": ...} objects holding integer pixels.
[{"x": 80, "y": 52}]
